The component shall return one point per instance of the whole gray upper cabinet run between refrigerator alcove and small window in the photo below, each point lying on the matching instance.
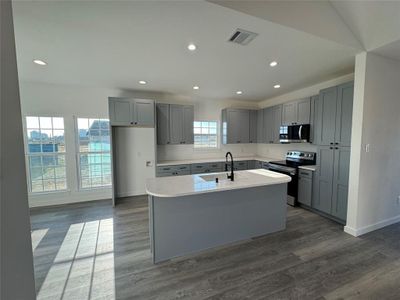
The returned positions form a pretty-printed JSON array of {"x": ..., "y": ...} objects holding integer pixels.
[{"x": 175, "y": 124}]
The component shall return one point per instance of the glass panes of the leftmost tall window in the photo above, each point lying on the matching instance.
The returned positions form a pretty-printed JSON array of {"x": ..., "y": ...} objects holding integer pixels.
[{"x": 45, "y": 152}]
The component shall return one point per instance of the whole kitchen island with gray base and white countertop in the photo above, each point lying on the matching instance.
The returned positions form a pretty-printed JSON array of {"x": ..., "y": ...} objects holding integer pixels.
[{"x": 191, "y": 213}]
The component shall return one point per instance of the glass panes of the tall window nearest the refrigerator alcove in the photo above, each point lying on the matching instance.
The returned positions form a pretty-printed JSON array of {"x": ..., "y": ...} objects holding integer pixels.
[{"x": 94, "y": 152}]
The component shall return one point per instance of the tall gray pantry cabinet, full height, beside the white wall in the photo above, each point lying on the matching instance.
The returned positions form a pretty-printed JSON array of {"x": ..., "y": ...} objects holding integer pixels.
[{"x": 333, "y": 111}]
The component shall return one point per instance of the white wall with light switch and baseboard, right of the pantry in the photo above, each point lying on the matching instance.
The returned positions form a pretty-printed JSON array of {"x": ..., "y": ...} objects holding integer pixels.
[{"x": 374, "y": 176}]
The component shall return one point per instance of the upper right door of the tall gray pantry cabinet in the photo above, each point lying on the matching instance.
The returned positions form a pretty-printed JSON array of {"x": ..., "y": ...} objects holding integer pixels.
[{"x": 344, "y": 114}]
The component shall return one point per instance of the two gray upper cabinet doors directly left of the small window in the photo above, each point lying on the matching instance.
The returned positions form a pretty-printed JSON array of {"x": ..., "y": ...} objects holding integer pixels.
[{"x": 181, "y": 119}]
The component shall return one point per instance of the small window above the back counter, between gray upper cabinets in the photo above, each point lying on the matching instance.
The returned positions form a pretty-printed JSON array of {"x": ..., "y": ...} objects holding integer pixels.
[{"x": 205, "y": 134}]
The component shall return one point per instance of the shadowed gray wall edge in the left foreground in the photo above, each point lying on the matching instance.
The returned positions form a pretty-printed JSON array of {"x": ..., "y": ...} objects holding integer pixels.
[{"x": 17, "y": 275}]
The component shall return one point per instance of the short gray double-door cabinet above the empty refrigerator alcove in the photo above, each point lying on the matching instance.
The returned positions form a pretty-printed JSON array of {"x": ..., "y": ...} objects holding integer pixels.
[{"x": 131, "y": 112}]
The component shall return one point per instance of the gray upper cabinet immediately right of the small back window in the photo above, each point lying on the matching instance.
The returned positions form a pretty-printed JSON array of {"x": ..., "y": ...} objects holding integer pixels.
[{"x": 235, "y": 126}]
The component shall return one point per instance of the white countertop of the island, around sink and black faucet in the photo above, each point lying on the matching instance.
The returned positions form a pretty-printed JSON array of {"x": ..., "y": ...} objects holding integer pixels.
[{"x": 175, "y": 186}]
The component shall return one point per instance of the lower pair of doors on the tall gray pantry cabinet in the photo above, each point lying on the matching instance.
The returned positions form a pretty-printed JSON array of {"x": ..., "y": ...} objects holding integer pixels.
[{"x": 331, "y": 181}]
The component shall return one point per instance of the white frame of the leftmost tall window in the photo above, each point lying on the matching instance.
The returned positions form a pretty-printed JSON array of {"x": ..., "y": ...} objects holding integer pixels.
[{"x": 28, "y": 155}]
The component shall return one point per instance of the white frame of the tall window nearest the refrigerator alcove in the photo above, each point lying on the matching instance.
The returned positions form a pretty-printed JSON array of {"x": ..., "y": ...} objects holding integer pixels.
[{"x": 78, "y": 154}]
